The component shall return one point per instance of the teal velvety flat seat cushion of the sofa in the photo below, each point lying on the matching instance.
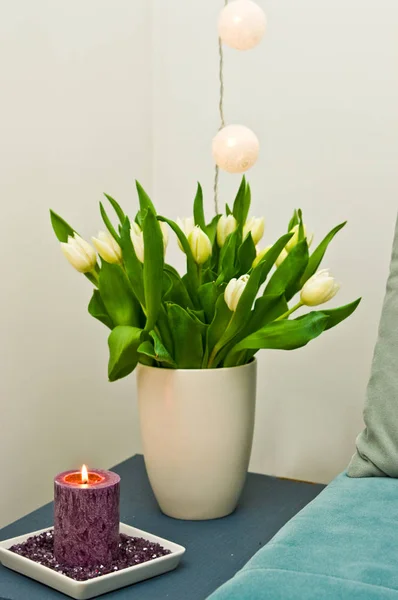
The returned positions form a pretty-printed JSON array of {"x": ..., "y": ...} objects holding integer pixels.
[{"x": 344, "y": 545}]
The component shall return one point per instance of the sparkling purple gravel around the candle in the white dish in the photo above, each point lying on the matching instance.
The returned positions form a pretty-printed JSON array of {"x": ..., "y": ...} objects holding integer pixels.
[{"x": 132, "y": 552}]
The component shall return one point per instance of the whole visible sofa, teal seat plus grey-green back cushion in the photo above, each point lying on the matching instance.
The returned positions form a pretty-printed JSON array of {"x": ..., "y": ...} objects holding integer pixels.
[{"x": 344, "y": 544}]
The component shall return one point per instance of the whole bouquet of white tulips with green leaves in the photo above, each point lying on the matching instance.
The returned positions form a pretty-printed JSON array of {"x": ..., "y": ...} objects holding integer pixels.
[{"x": 232, "y": 301}]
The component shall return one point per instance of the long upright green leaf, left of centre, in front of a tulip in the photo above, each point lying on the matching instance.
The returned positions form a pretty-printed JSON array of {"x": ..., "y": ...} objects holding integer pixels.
[{"x": 153, "y": 267}]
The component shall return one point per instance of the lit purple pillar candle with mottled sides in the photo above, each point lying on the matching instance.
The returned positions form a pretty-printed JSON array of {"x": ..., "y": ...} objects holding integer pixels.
[{"x": 86, "y": 519}]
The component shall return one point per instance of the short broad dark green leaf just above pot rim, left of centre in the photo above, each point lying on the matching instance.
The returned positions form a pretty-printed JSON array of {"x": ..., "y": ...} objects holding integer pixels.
[{"x": 187, "y": 337}]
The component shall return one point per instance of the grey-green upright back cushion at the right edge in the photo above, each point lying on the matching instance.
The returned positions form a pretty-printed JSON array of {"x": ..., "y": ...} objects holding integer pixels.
[{"x": 377, "y": 445}]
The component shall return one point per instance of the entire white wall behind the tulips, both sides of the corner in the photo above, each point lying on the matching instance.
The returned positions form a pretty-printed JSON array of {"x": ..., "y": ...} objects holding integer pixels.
[{"x": 76, "y": 119}]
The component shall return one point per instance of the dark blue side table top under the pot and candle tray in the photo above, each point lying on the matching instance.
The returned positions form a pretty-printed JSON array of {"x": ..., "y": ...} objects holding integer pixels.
[{"x": 216, "y": 550}]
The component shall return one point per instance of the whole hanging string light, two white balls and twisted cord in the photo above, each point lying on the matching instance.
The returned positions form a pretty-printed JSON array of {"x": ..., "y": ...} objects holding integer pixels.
[{"x": 241, "y": 25}]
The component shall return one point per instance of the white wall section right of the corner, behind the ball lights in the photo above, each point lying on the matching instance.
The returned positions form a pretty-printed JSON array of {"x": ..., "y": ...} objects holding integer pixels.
[{"x": 322, "y": 94}]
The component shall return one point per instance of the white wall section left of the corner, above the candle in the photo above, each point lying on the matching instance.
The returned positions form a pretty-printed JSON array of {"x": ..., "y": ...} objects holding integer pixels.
[{"x": 75, "y": 121}]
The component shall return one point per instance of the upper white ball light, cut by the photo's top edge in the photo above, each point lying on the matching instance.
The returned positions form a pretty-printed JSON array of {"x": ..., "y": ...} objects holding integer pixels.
[{"x": 242, "y": 24}]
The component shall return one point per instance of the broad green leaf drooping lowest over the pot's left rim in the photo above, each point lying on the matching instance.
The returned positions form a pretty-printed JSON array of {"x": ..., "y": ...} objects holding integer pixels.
[{"x": 123, "y": 356}]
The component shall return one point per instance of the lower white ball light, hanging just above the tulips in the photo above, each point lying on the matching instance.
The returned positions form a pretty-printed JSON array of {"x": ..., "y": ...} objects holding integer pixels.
[{"x": 235, "y": 148}]
